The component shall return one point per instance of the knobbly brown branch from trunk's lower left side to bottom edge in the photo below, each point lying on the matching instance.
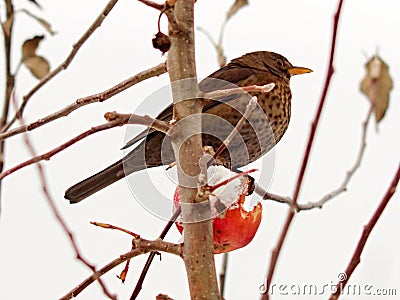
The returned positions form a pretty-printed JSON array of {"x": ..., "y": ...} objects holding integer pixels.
[{"x": 142, "y": 246}]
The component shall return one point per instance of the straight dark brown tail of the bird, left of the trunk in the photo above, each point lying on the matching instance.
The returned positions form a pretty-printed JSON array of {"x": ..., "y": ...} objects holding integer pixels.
[{"x": 95, "y": 183}]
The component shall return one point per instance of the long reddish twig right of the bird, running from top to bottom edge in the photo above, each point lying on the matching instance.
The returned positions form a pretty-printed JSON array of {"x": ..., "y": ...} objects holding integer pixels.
[{"x": 290, "y": 215}]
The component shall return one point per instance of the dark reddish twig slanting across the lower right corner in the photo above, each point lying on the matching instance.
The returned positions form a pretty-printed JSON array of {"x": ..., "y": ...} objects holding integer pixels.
[{"x": 356, "y": 258}]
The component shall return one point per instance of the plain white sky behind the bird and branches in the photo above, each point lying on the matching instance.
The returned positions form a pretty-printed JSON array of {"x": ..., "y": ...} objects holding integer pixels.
[{"x": 36, "y": 258}]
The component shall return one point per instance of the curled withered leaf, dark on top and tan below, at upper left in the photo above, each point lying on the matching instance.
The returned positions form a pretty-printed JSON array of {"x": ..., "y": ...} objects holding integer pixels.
[{"x": 38, "y": 65}]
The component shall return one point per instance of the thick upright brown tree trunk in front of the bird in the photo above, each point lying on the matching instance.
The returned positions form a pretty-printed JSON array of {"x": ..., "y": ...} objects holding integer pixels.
[{"x": 187, "y": 144}]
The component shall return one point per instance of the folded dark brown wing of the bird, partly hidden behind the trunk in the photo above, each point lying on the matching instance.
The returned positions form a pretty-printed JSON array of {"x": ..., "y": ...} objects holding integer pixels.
[{"x": 227, "y": 77}]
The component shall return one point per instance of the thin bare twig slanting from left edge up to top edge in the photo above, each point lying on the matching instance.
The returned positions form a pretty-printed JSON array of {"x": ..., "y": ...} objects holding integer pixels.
[{"x": 75, "y": 48}]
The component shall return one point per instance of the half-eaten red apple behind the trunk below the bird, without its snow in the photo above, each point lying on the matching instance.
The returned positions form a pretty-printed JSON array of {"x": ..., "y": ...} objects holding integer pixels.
[{"x": 234, "y": 228}]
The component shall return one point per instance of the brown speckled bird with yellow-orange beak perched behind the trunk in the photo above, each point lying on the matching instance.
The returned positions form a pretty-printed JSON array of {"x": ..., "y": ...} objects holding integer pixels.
[{"x": 262, "y": 130}]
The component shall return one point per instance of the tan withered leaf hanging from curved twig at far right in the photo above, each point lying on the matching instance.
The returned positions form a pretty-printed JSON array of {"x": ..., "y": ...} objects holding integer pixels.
[{"x": 377, "y": 85}]
